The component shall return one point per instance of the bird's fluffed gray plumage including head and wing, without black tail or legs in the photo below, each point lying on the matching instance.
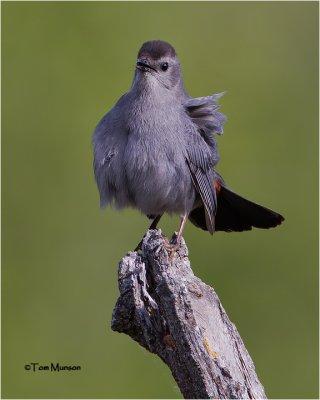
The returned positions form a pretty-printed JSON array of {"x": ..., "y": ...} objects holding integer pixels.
[{"x": 155, "y": 148}]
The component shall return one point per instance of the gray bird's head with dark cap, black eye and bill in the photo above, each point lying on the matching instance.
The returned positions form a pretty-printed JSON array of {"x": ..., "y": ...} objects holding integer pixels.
[{"x": 158, "y": 64}]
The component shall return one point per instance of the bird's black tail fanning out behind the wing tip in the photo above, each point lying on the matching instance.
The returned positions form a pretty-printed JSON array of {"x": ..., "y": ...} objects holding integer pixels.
[{"x": 235, "y": 213}]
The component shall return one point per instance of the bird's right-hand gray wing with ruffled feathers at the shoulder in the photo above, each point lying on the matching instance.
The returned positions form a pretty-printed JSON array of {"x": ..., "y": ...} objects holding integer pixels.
[{"x": 202, "y": 152}]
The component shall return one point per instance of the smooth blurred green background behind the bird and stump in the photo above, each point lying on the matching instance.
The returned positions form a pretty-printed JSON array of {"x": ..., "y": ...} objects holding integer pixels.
[{"x": 63, "y": 66}]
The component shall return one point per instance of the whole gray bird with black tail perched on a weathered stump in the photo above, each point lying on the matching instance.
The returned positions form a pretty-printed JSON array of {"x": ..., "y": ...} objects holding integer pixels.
[{"x": 156, "y": 151}]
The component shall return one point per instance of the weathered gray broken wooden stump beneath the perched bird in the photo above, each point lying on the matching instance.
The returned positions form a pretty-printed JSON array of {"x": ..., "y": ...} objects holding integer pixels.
[{"x": 172, "y": 313}]
